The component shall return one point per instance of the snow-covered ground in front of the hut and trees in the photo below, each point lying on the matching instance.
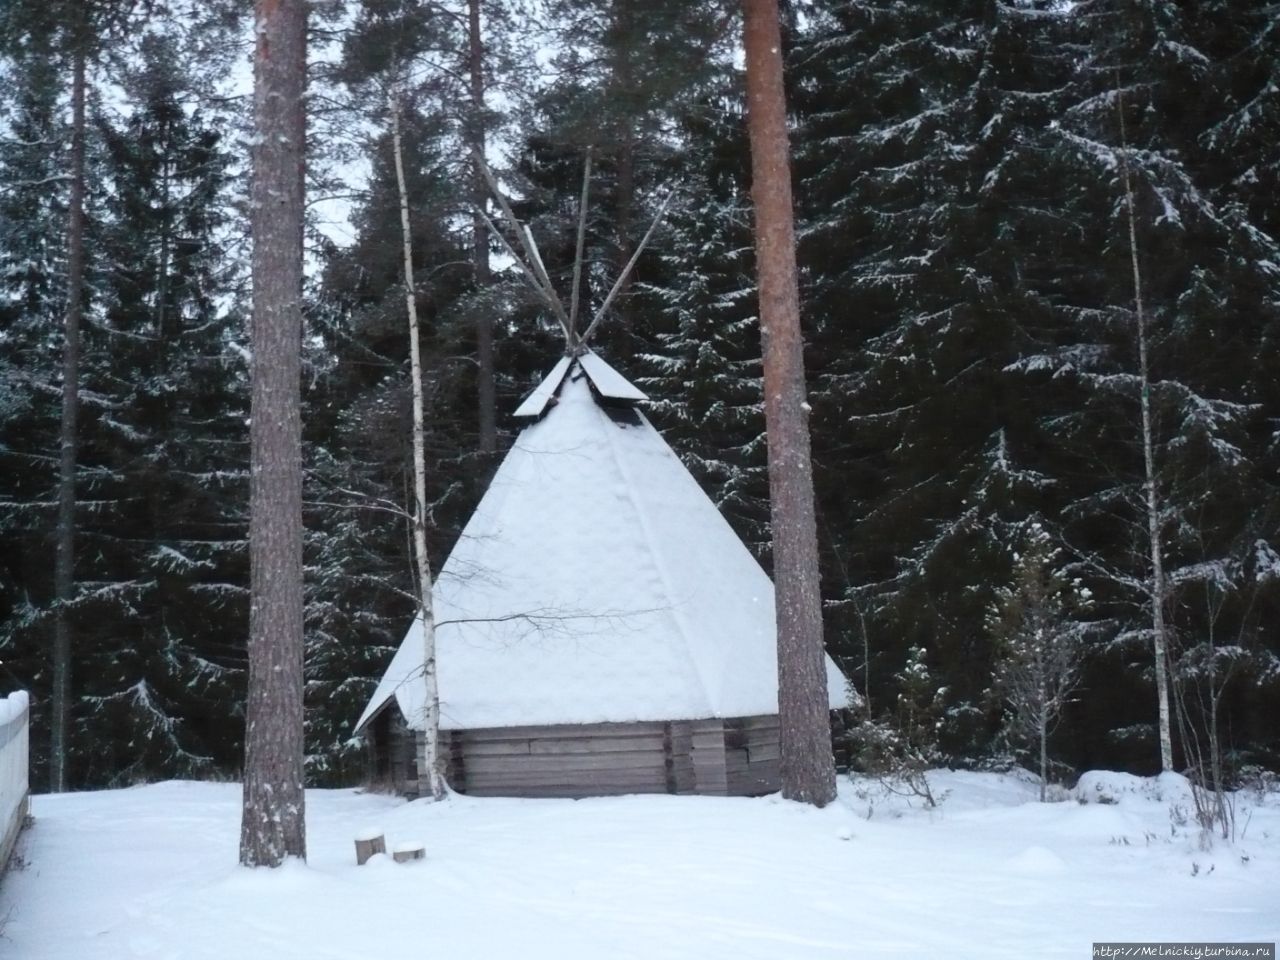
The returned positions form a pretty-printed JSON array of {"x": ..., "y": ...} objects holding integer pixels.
[{"x": 150, "y": 872}]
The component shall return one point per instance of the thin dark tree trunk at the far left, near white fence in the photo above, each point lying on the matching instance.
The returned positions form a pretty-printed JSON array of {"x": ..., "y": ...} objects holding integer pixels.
[{"x": 65, "y": 566}]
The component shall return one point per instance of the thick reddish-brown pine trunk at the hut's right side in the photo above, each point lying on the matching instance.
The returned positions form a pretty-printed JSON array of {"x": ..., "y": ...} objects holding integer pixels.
[{"x": 808, "y": 766}]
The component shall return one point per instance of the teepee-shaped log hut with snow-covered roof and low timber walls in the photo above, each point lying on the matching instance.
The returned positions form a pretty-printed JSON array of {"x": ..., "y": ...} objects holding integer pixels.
[{"x": 600, "y": 627}]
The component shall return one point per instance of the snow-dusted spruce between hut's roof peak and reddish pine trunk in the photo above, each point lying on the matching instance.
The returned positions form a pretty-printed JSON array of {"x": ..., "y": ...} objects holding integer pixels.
[{"x": 703, "y": 372}]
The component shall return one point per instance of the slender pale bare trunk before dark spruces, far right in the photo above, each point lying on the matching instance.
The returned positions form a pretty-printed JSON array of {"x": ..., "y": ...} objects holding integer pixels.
[{"x": 1151, "y": 495}]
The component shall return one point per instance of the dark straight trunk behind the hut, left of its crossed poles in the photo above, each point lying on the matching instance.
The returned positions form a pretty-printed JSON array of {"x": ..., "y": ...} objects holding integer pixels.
[{"x": 479, "y": 234}]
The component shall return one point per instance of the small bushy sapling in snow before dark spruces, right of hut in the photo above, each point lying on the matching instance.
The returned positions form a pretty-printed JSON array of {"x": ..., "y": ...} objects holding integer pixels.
[{"x": 1039, "y": 644}]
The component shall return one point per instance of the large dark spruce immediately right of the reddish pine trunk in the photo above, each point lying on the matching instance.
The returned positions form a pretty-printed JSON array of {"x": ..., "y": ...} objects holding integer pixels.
[{"x": 926, "y": 227}]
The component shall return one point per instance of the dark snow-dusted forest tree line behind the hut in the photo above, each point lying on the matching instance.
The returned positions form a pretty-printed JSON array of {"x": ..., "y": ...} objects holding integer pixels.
[{"x": 967, "y": 299}]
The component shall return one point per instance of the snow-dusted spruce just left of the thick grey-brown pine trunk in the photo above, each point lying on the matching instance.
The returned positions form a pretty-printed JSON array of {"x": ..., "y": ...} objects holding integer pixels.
[{"x": 170, "y": 531}]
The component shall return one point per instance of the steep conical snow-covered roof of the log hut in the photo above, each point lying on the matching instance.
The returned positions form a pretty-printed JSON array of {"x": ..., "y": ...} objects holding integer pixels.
[{"x": 595, "y": 583}]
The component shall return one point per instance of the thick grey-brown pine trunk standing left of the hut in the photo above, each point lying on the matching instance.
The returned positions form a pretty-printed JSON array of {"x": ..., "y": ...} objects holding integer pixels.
[{"x": 273, "y": 817}]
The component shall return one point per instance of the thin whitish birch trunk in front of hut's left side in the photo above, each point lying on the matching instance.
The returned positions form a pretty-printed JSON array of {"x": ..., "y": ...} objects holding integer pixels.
[{"x": 431, "y": 771}]
